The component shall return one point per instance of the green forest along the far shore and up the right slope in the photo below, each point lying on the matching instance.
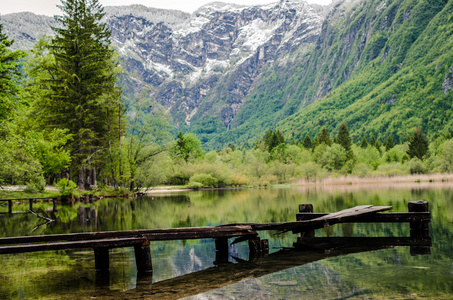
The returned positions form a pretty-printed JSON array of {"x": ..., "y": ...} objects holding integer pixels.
[{"x": 65, "y": 121}]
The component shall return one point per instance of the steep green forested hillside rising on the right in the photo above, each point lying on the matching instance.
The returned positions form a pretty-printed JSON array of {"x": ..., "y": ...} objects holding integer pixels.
[{"x": 385, "y": 68}]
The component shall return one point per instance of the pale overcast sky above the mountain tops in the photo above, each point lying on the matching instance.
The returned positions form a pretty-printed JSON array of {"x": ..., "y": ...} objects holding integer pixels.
[{"x": 48, "y": 7}]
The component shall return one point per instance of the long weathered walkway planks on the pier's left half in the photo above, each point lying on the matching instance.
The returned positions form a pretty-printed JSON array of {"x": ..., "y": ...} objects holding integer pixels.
[{"x": 151, "y": 234}]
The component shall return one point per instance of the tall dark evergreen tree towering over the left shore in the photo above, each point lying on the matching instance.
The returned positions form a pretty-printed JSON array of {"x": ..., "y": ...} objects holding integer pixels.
[{"x": 84, "y": 98}]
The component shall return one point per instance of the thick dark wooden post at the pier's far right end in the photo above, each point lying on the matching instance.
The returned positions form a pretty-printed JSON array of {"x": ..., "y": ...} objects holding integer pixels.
[{"x": 419, "y": 230}]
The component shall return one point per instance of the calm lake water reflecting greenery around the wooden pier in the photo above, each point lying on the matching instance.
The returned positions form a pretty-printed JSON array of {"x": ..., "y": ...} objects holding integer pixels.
[{"x": 188, "y": 268}]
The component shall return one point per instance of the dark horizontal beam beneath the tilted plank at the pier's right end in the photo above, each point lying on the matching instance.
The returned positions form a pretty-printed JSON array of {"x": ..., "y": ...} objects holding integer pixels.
[{"x": 376, "y": 218}]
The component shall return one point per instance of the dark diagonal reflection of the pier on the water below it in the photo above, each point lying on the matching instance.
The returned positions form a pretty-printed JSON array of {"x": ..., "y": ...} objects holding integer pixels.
[{"x": 225, "y": 274}]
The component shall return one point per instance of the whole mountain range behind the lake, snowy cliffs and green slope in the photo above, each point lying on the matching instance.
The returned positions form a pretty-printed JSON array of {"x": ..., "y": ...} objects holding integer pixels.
[{"x": 228, "y": 72}]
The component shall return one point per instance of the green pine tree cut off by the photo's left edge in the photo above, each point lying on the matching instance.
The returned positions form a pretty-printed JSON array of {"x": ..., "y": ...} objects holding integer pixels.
[{"x": 9, "y": 76}]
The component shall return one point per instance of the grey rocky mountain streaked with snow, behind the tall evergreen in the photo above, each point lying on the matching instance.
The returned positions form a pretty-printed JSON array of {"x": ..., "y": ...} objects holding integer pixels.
[{"x": 200, "y": 64}]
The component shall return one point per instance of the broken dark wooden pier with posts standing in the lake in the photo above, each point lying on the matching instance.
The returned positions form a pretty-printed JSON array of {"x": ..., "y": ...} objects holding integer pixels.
[{"x": 418, "y": 217}]
